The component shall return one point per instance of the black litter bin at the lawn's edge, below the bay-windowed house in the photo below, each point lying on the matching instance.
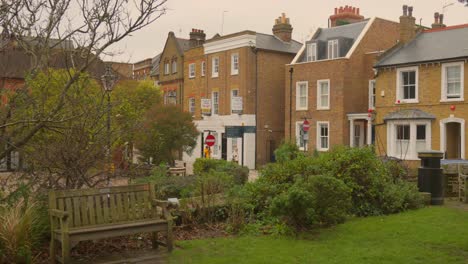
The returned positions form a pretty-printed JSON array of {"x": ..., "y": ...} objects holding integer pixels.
[{"x": 431, "y": 176}]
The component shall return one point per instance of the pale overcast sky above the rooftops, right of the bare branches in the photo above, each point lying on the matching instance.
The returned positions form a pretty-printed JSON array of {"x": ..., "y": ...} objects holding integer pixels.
[{"x": 258, "y": 15}]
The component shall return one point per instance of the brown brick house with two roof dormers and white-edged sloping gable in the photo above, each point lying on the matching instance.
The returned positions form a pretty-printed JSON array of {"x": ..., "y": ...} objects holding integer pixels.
[{"x": 330, "y": 82}]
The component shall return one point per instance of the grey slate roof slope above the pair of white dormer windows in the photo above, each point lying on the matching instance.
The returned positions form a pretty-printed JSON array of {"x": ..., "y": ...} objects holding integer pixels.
[{"x": 351, "y": 31}]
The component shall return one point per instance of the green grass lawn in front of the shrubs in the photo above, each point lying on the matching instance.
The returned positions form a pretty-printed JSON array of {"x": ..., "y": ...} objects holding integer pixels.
[{"x": 430, "y": 235}]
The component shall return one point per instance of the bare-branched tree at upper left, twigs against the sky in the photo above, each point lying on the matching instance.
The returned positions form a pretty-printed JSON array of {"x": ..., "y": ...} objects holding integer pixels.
[{"x": 70, "y": 33}]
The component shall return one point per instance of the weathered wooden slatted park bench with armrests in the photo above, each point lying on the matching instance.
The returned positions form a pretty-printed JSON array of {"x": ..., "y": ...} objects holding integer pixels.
[{"x": 90, "y": 214}]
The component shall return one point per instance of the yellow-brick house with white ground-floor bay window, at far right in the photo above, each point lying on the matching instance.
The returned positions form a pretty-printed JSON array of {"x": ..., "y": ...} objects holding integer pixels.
[{"x": 420, "y": 92}]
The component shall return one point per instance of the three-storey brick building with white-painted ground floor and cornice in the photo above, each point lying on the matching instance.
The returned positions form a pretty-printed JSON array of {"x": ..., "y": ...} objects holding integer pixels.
[{"x": 233, "y": 85}]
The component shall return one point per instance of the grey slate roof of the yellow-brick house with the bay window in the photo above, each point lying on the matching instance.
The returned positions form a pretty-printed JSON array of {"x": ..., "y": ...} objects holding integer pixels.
[{"x": 430, "y": 45}]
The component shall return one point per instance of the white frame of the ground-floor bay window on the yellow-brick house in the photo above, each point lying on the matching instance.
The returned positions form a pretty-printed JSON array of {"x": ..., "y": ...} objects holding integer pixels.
[{"x": 411, "y": 153}]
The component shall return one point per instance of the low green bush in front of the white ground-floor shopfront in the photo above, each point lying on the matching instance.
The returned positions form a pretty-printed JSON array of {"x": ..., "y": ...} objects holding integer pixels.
[{"x": 239, "y": 173}]
